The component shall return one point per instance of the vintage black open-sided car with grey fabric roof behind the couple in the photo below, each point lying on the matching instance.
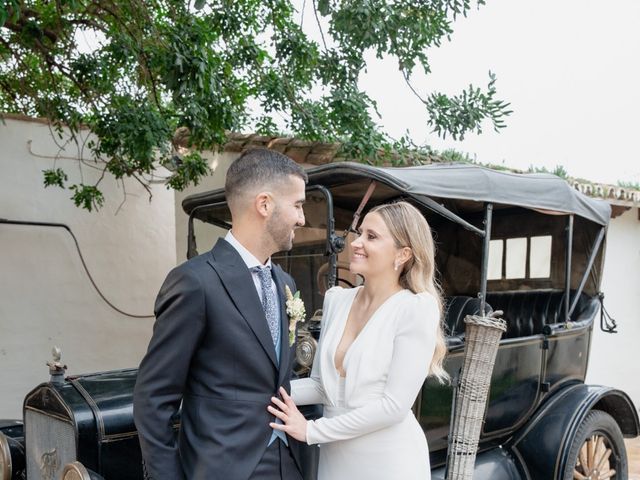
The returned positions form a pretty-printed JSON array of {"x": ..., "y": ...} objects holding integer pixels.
[{"x": 529, "y": 245}]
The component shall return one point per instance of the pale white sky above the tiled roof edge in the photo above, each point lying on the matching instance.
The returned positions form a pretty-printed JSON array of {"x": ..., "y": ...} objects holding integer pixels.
[{"x": 569, "y": 68}]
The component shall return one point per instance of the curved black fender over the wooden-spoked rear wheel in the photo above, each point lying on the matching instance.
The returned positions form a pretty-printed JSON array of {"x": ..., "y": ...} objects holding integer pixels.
[{"x": 543, "y": 443}]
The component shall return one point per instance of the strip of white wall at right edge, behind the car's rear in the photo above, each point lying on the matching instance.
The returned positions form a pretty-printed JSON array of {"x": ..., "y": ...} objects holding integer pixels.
[{"x": 614, "y": 359}]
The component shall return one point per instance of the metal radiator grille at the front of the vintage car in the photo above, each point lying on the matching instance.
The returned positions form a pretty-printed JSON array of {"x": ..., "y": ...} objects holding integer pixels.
[{"x": 50, "y": 445}]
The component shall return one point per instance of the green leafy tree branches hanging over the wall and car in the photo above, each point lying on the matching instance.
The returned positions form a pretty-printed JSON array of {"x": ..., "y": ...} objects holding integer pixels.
[{"x": 207, "y": 68}]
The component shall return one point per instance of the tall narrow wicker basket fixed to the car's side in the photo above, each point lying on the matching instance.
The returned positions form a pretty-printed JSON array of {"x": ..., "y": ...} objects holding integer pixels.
[{"x": 482, "y": 337}]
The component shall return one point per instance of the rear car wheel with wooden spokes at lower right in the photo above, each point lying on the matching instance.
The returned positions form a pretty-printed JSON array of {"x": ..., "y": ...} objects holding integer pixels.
[{"x": 597, "y": 451}]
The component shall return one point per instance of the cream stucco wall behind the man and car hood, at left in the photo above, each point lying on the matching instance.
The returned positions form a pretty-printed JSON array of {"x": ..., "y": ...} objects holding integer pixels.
[{"x": 46, "y": 298}]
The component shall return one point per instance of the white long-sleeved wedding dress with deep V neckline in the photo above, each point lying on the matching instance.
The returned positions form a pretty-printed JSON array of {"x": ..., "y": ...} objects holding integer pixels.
[{"x": 368, "y": 430}]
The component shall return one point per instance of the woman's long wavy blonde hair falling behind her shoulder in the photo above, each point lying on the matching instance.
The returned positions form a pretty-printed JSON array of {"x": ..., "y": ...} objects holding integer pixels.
[{"x": 409, "y": 228}]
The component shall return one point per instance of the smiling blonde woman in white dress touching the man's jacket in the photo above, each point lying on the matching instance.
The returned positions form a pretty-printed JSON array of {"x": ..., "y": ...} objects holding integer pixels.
[{"x": 378, "y": 343}]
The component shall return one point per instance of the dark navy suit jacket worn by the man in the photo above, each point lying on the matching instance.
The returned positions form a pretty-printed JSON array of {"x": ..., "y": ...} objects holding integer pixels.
[{"x": 211, "y": 350}]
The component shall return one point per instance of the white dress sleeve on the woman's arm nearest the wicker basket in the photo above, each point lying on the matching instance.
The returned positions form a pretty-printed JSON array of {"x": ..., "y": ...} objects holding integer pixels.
[{"x": 413, "y": 349}]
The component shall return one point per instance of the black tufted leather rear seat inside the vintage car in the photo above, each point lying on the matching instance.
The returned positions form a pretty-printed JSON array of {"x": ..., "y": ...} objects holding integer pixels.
[{"x": 527, "y": 312}]
